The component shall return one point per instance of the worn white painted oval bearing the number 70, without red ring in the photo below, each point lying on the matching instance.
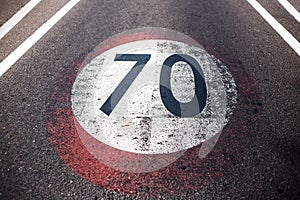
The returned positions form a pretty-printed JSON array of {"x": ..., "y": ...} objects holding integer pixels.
[{"x": 153, "y": 96}]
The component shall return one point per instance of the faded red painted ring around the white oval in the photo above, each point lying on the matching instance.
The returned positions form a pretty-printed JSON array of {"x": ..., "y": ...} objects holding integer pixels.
[{"x": 188, "y": 172}]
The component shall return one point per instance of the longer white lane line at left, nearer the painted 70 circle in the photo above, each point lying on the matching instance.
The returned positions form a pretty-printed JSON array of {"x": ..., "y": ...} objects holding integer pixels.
[{"x": 38, "y": 34}]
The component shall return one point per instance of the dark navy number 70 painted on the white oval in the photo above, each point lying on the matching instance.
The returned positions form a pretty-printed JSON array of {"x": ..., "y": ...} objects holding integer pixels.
[{"x": 189, "y": 109}]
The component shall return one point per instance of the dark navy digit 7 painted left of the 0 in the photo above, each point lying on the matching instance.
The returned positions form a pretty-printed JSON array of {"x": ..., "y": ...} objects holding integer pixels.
[{"x": 118, "y": 93}]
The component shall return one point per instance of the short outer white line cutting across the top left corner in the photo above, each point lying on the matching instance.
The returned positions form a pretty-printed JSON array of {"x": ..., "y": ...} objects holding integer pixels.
[{"x": 5, "y": 28}]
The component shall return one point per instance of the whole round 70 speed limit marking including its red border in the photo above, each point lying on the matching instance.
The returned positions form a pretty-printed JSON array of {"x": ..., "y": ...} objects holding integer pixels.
[{"x": 143, "y": 111}]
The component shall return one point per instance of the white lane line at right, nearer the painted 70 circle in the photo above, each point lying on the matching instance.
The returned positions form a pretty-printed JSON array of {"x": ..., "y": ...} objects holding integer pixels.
[{"x": 287, "y": 36}]
